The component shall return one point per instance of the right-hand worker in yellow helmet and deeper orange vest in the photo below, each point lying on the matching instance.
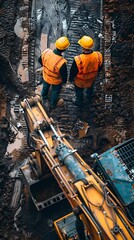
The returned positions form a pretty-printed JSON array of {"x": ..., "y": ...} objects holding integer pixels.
[{"x": 84, "y": 69}]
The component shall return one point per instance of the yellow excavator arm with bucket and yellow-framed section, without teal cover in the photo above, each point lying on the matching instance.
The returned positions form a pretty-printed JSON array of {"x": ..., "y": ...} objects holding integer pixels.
[{"x": 96, "y": 213}]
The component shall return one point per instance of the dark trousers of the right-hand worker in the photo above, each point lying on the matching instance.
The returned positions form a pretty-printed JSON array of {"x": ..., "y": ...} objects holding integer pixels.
[{"x": 79, "y": 94}]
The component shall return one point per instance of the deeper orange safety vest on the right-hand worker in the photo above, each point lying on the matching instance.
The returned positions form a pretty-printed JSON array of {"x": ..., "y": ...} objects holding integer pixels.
[{"x": 87, "y": 65}]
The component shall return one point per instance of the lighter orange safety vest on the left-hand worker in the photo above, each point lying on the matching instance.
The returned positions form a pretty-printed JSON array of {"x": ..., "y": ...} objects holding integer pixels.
[{"x": 51, "y": 66}]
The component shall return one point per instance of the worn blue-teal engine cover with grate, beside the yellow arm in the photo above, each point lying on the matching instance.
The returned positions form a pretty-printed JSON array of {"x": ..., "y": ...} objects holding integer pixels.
[{"x": 116, "y": 167}]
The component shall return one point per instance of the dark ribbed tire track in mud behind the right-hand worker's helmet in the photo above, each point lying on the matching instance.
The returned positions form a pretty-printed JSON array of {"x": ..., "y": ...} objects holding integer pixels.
[{"x": 83, "y": 21}]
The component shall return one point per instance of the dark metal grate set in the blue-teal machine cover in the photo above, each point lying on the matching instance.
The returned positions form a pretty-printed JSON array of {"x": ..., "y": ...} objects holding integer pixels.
[{"x": 126, "y": 154}]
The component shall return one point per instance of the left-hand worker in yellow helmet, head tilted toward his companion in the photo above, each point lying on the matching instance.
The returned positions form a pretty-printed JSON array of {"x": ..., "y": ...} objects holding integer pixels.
[{"x": 54, "y": 71}]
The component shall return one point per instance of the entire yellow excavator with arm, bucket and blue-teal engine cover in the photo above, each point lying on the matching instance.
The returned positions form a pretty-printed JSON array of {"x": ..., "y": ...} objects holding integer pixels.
[{"x": 102, "y": 207}]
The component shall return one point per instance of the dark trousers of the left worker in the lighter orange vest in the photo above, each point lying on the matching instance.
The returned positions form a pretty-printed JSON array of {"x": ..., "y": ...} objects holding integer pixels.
[{"x": 54, "y": 94}]
